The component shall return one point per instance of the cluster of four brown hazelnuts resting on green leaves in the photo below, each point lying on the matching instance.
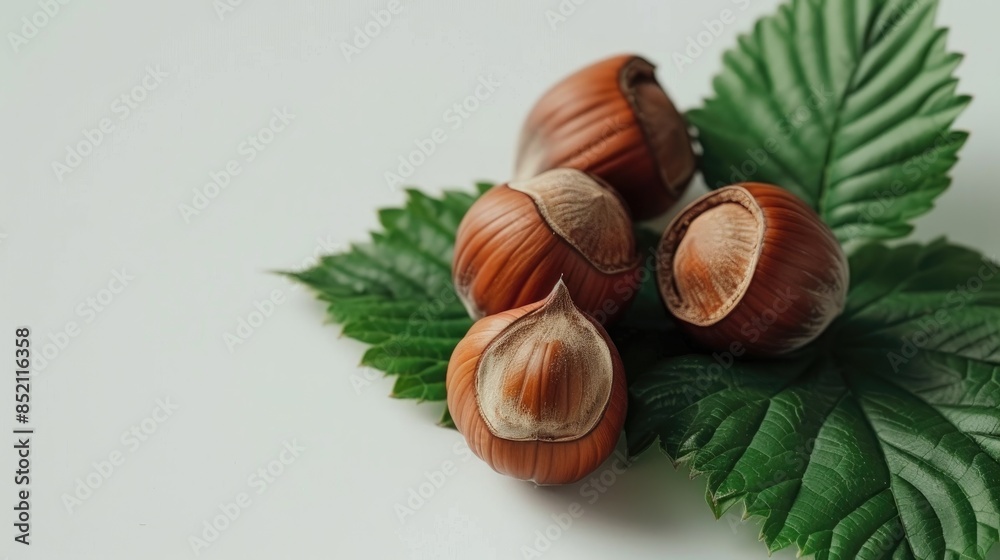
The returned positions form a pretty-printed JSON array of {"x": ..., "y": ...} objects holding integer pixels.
[{"x": 547, "y": 260}]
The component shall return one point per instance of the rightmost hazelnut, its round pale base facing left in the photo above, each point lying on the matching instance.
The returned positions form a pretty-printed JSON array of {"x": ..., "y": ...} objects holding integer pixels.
[{"x": 751, "y": 268}]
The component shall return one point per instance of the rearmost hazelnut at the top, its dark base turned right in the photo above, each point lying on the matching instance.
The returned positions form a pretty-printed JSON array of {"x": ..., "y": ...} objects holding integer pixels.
[{"x": 614, "y": 120}]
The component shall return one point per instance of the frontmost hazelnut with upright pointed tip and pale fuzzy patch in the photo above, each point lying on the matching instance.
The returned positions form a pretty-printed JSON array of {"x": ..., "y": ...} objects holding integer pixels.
[{"x": 539, "y": 392}]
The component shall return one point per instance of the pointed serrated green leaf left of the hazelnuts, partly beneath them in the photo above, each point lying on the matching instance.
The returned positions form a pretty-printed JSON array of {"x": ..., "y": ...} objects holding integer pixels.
[{"x": 395, "y": 292}]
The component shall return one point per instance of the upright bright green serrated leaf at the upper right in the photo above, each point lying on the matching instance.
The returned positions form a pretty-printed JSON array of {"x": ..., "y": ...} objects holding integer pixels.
[{"x": 848, "y": 104}]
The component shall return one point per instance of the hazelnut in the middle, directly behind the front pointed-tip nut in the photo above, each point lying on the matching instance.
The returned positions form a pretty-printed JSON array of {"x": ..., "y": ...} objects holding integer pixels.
[{"x": 519, "y": 238}]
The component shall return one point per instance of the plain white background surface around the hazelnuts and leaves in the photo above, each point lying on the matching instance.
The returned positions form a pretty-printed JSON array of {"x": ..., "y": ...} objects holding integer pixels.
[{"x": 315, "y": 188}]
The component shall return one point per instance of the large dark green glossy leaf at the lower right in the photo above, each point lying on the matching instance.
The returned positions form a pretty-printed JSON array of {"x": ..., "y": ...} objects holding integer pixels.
[{"x": 881, "y": 440}]
